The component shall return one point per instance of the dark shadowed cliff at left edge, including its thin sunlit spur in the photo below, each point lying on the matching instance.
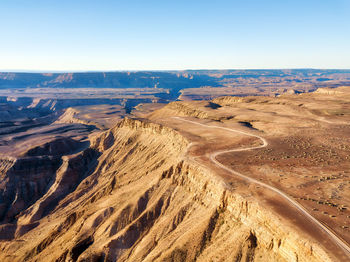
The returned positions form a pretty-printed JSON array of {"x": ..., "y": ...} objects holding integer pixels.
[{"x": 28, "y": 179}]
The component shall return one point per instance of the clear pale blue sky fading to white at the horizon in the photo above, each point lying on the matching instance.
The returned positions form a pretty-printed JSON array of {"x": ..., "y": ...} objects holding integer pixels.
[{"x": 173, "y": 34}]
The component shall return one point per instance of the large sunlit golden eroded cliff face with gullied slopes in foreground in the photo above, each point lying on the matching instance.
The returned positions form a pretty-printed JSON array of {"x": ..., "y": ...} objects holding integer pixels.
[{"x": 140, "y": 199}]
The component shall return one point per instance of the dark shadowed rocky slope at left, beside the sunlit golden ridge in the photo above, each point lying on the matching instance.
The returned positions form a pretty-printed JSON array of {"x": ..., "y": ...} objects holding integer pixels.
[{"x": 26, "y": 179}]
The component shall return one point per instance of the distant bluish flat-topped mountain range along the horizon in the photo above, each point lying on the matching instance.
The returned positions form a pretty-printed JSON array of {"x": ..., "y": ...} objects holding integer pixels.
[{"x": 160, "y": 79}]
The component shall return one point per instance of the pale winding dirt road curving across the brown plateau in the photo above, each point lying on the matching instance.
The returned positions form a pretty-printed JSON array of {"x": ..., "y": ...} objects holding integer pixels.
[{"x": 341, "y": 243}]
